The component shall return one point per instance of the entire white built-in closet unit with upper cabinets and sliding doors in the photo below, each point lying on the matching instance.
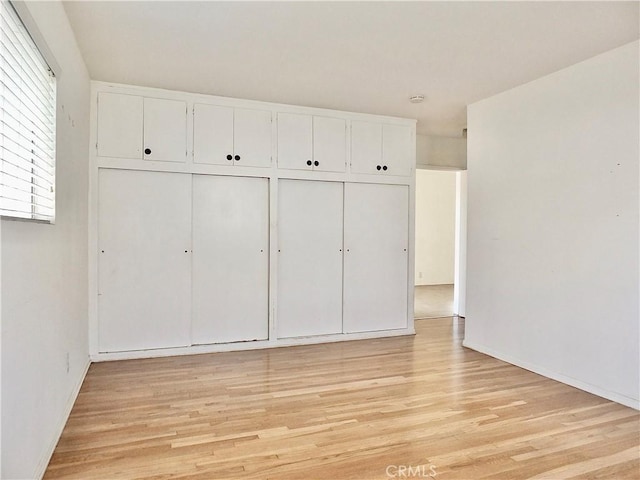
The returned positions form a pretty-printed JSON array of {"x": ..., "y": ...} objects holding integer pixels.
[{"x": 223, "y": 224}]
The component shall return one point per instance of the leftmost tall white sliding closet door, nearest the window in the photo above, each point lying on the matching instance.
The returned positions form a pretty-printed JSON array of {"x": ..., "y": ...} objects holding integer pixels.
[{"x": 144, "y": 297}]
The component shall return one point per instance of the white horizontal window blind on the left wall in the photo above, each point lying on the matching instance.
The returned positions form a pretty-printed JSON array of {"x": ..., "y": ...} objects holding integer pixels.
[{"x": 27, "y": 123}]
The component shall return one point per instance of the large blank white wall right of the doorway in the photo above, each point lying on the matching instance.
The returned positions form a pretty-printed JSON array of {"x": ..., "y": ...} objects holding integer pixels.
[{"x": 552, "y": 260}]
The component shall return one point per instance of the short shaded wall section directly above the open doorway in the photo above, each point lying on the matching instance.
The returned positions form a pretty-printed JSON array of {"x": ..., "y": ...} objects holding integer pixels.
[{"x": 448, "y": 152}]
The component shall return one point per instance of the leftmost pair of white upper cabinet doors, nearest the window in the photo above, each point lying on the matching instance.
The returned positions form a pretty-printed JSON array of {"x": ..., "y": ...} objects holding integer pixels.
[{"x": 130, "y": 126}]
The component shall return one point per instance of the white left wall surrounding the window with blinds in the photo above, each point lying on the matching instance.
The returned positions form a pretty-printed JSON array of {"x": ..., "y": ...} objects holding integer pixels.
[{"x": 44, "y": 273}]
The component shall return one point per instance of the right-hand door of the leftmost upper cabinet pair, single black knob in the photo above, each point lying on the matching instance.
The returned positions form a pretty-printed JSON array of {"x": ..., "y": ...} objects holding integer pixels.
[{"x": 165, "y": 130}]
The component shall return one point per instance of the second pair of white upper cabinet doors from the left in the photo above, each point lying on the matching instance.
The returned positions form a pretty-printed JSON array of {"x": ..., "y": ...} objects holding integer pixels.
[{"x": 231, "y": 136}]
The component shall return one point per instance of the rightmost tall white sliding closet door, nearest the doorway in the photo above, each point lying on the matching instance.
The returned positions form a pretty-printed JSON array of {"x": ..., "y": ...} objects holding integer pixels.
[{"x": 376, "y": 240}]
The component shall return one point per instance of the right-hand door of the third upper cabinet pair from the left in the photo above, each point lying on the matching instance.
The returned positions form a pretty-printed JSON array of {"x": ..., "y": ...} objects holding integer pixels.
[{"x": 329, "y": 144}]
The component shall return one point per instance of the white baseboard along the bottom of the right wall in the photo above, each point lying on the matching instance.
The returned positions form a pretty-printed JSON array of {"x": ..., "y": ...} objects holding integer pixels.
[{"x": 587, "y": 387}]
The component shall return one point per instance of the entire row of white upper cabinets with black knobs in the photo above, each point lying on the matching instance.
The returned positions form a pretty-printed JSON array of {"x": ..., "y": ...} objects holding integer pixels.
[{"x": 239, "y": 133}]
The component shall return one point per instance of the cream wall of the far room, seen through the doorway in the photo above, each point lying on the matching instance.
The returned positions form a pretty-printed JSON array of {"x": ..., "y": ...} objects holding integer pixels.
[{"x": 435, "y": 226}]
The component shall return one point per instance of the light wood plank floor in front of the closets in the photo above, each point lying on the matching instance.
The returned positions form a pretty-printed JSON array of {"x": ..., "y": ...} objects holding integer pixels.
[{"x": 352, "y": 410}]
